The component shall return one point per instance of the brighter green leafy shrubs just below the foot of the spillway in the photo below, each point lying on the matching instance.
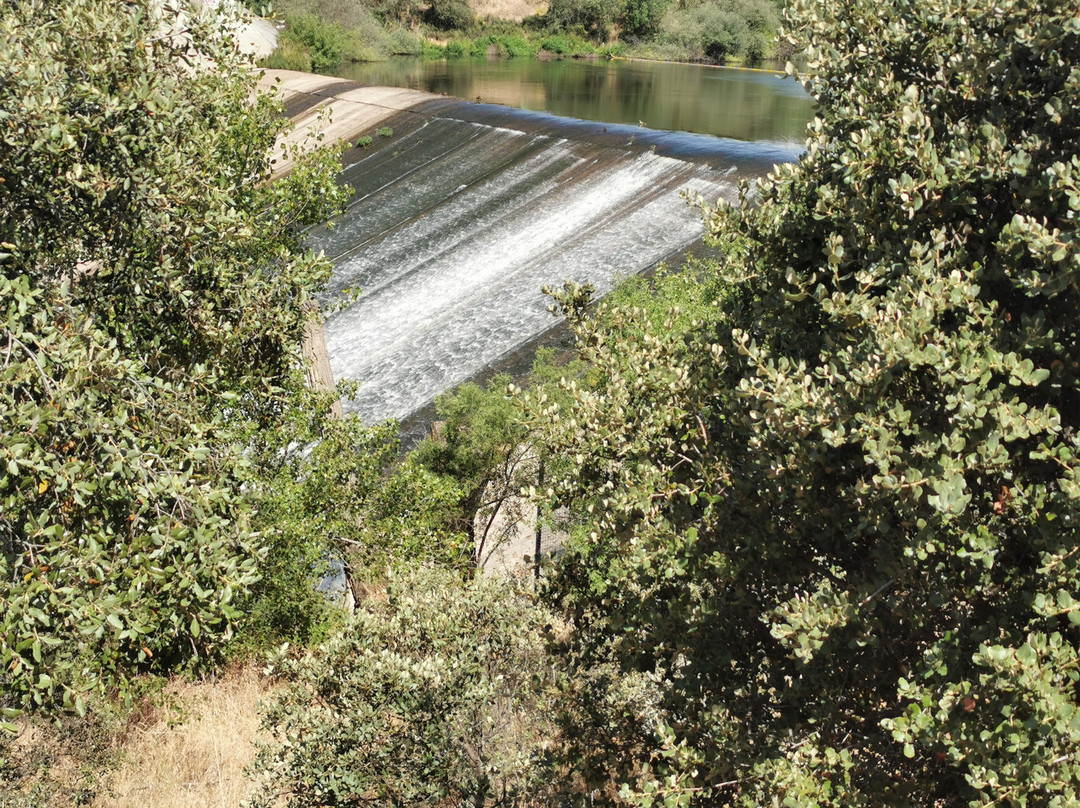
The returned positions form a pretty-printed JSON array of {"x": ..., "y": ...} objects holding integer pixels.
[{"x": 335, "y": 494}]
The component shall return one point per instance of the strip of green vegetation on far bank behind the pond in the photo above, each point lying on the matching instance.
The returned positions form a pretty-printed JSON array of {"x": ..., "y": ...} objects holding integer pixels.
[{"x": 321, "y": 35}]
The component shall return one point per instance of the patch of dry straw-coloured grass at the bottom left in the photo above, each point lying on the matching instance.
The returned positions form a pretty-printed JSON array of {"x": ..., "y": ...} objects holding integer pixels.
[{"x": 198, "y": 763}]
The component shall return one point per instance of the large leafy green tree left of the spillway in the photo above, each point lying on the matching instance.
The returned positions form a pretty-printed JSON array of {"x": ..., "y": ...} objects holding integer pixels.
[{"x": 154, "y": 293}]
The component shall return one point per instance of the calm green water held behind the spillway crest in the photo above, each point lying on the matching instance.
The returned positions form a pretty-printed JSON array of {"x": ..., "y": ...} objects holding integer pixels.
[{"x": 744, "y": 105}]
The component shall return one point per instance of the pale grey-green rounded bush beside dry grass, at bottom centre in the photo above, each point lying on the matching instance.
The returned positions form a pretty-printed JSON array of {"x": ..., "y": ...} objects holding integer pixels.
[{"x": 436, "y": 697}]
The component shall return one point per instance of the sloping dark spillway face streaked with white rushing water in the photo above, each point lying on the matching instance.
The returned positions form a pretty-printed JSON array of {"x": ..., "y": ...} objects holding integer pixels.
[{"x": 455, "y": 227}]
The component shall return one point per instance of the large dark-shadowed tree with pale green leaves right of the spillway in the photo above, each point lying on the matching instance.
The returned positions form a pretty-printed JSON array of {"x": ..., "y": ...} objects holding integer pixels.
[{"x": 839, "y": 530}]
